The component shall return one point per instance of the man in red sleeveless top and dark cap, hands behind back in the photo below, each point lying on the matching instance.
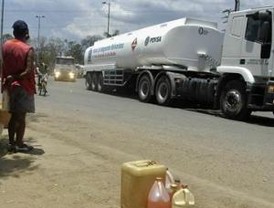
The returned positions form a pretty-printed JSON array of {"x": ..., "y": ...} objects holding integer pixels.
[{"x": 19, "y": 80}]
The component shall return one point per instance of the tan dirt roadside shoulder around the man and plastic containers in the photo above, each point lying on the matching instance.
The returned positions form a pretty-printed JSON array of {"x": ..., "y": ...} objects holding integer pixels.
[{"x": 77, "y": 163}]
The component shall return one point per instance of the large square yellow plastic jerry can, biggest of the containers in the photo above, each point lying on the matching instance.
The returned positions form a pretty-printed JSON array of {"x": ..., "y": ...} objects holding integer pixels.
[{"x": 137, "y": 178}]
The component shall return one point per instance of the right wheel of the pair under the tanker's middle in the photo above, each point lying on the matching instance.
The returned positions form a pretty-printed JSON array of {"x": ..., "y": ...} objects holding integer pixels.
[{"x": 163, "y": 91}]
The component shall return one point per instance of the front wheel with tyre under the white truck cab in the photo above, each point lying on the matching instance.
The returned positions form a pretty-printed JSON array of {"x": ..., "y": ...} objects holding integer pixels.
[{"x": 233, "y": 101}]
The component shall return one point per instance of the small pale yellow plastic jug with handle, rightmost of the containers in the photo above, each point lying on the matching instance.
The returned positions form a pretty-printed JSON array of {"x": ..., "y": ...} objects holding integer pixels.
[{"x": 182, "y": 198}]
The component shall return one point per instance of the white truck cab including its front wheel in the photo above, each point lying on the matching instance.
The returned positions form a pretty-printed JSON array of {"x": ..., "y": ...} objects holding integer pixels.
[{"x": 247, "y": 62}]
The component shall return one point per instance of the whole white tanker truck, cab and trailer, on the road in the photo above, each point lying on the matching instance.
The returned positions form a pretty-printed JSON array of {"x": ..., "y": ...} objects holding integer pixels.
[{"x": 192, "y": 60}]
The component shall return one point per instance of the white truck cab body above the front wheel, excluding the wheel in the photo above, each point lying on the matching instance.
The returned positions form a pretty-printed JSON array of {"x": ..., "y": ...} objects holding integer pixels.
[{"x": 248, "y": 42}]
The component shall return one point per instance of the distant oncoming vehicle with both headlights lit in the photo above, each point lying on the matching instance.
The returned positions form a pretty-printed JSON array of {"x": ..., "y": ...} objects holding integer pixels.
[{"x": 65, "y": 69}]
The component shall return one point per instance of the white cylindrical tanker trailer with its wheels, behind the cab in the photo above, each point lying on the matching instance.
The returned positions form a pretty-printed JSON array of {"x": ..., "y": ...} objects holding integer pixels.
[{"x": 155, "y": 59}]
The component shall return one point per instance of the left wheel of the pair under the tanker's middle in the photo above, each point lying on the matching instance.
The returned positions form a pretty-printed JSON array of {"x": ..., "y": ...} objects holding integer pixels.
[{"x": 144, "y": 89}]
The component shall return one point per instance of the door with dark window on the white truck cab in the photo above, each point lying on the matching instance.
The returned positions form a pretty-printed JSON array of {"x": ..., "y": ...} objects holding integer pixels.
[{"x": 253, "y": 46}]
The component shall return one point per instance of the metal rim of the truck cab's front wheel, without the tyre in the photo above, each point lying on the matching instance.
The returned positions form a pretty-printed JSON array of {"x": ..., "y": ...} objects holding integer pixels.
[{"x": 233, "y": 102}]
